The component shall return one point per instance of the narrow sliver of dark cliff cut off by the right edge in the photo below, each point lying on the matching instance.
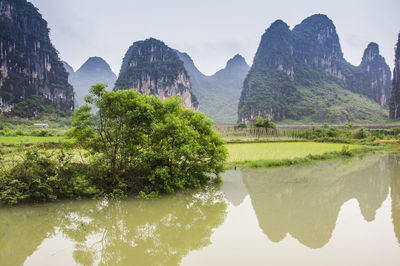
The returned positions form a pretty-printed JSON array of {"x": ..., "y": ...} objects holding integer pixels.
[{"x": 395, "y": 95}]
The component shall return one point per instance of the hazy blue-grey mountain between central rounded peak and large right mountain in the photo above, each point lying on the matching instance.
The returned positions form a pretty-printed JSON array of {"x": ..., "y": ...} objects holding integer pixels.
[{"x": 218, "y": 94}]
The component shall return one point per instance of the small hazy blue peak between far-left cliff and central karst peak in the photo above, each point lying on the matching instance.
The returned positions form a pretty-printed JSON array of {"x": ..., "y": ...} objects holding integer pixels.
[{"x": 94, "y": 70}]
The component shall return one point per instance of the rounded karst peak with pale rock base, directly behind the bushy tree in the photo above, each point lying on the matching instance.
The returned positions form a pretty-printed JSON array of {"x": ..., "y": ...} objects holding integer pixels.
[{"x": 151, "y": 67}]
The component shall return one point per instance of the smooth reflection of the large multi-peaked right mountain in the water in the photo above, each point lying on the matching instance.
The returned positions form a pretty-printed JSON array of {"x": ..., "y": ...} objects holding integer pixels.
[{"x": 305, "y": 201}]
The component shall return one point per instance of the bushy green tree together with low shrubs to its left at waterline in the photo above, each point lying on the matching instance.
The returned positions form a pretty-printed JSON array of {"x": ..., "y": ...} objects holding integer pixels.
[{"x": 136, "y": 144}]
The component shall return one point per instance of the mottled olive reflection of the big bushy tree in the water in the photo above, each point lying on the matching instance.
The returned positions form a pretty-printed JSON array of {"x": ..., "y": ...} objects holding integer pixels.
[{"x": 149, "y": 232}]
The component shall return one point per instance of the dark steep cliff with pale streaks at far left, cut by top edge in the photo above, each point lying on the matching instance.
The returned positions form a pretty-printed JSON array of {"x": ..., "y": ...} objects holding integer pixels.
[{"x": 29, "y": 64}]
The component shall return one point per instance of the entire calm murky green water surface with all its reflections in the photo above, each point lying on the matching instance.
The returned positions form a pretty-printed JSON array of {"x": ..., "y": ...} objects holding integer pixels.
[{"x": 331, "y": 213}]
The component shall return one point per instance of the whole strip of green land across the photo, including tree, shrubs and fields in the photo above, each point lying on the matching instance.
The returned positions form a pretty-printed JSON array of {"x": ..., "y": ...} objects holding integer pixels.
[{"x": 141, "y": 145}]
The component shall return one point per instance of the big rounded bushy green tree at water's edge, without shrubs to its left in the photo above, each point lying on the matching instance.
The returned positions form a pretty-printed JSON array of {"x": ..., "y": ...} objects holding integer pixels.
[{"x": 148, "y": 145}]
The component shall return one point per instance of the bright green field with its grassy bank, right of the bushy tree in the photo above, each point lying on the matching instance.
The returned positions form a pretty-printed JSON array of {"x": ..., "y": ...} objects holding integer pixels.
[{"x": 270, "y": 147}]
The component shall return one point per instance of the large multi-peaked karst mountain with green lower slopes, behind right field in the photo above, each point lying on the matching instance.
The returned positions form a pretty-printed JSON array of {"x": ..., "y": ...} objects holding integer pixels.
[{"x": 301, "y": 74}]
